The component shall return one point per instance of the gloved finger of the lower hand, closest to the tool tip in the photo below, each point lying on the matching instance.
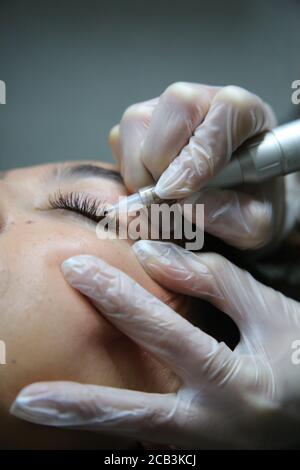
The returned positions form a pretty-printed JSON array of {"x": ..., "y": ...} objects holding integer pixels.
[{"x": 209, "y": 276}]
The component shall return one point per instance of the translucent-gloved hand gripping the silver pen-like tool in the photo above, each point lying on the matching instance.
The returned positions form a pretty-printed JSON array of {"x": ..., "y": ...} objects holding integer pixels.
[{"x": 183, "y": 138}]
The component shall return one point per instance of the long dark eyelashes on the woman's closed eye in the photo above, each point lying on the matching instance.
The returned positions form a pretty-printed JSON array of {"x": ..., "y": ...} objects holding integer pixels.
[{"x": 83, "y": 204}]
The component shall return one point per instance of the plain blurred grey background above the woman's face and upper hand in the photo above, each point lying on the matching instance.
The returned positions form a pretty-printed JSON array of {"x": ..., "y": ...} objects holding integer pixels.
[{"x": 71, "y": 67}]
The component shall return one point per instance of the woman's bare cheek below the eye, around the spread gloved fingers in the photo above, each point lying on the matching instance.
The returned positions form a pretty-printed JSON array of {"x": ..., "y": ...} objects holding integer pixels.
[{"x": 51, "y": 331}]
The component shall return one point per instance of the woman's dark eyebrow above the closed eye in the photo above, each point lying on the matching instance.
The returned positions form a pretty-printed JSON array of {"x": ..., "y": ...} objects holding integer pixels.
[{"x": 87, "y": 171}]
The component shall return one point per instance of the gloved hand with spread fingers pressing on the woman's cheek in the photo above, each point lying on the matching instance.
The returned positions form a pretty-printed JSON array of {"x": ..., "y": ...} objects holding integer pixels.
[{"x": 246, "y": 398}]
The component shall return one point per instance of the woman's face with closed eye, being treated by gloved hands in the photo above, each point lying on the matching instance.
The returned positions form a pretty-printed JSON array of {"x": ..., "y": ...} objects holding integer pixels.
[{"x": 51, "y": 332}]
